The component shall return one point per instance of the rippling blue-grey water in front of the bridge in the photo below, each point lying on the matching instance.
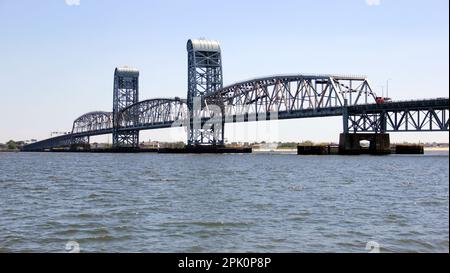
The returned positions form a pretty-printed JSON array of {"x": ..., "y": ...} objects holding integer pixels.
[{"x": 223, "y": 203}]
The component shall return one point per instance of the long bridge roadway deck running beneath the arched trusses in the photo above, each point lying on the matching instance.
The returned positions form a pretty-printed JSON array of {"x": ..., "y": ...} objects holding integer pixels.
[{"x": 429, "y": 107}]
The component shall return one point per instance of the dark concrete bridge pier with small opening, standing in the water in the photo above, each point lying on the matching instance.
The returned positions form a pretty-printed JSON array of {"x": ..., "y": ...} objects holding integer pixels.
[{"x": 350, "y": 144}]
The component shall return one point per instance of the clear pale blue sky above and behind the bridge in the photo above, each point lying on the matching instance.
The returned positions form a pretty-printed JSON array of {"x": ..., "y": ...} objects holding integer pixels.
[{"x": 57, "y": 60}]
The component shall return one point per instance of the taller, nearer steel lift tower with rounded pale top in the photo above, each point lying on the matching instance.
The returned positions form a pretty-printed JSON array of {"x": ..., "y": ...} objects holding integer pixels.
[{"x": 204, "y": 78}]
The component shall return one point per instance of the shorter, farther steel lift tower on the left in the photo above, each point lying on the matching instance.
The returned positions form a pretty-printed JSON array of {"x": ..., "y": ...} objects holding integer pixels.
[{"x": 126, "y": 93}]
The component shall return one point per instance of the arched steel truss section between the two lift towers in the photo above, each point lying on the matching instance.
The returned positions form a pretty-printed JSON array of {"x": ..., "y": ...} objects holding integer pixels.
[{"x": 154, "y": 112}]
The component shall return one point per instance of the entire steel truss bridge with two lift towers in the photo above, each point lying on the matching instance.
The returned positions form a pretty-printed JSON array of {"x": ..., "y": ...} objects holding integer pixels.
[{"x": 268, "y": 98}]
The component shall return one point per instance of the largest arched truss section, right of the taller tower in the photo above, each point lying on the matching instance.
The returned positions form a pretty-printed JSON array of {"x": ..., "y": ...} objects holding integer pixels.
[{"x": 293, "y": 93}]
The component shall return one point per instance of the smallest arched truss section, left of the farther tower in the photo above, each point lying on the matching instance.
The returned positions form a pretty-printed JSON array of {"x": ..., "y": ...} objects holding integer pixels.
[{"x": 93, "y": 121}]
